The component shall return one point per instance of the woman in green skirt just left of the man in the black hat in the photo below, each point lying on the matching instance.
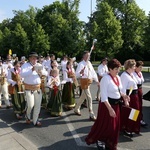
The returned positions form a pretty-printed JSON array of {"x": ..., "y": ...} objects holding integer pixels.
[{"x": 17, "y": 94}]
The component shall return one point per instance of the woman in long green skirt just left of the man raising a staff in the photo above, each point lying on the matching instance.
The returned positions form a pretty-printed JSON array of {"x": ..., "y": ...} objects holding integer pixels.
[{"x": 68, "y": 95}]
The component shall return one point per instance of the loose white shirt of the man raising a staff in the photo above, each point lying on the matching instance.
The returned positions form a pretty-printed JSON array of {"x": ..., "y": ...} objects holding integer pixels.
[{"x": 89, "y": 71}]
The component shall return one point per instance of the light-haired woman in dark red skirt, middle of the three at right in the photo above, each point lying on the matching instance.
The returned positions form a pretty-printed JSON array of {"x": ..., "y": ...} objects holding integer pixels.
[{"x": 129, "y": 84}]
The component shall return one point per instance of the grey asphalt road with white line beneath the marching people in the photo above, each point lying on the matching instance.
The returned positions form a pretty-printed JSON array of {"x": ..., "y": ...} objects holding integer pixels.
[{"x": 69, "y": 131}]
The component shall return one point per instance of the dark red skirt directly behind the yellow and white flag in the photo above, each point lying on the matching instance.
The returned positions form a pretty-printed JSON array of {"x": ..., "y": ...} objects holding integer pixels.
[{"x": 126, "y": 123}]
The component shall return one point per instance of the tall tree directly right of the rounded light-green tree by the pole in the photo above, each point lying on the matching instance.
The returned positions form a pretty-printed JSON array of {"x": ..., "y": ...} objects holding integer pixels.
[{"x": 132, "y": 20}]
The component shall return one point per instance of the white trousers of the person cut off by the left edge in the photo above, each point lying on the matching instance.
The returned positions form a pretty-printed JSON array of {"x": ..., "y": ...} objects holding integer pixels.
[{"x": 4, "y": 91}]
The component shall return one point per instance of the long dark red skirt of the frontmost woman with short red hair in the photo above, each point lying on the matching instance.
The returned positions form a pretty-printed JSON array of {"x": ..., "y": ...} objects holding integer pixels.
[{"x": 105, "y": 128}]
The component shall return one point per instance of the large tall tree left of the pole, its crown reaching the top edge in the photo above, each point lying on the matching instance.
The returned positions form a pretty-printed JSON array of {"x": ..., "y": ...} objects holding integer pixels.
[{"x": 60, "y": 21}]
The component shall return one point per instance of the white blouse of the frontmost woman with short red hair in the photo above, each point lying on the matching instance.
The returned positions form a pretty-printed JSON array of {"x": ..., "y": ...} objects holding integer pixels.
[{"x": 109, "y": 88}]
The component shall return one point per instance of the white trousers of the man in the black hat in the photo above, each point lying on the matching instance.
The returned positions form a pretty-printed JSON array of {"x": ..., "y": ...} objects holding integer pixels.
[{"x": 33, "y": 99}]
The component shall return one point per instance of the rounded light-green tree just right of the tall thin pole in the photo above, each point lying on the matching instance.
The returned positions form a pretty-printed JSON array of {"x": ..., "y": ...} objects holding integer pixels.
[{"x": 109, "y": 33}]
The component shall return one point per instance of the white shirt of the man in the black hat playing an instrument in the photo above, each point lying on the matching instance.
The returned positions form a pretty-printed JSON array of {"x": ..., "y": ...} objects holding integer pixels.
[{"x": 31, "y": 77}]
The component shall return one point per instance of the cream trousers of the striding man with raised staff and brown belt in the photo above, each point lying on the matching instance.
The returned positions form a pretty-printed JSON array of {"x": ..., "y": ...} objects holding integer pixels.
[{"x": 86, "y": 94}]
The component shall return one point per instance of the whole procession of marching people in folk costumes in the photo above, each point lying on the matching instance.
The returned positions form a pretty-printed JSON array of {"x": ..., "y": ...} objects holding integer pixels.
[{"x": 36, "y": 82}]
